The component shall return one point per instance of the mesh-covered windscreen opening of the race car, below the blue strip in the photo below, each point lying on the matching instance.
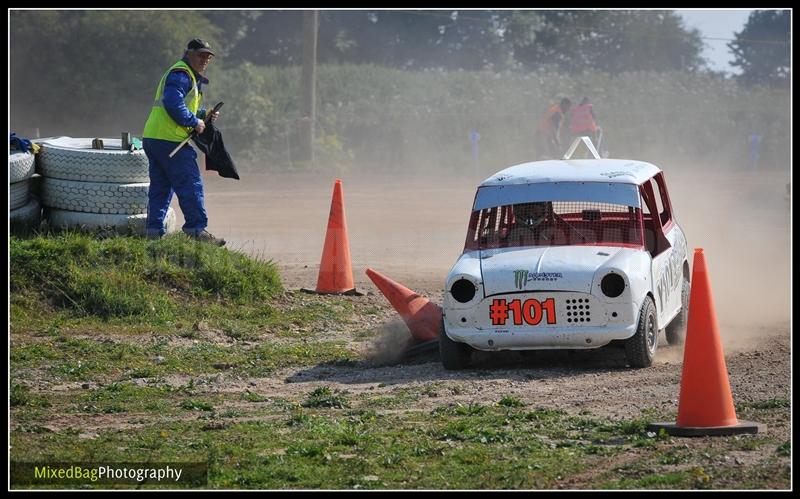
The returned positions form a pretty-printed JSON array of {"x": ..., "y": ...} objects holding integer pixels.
[{"x": 554, "y": 223}]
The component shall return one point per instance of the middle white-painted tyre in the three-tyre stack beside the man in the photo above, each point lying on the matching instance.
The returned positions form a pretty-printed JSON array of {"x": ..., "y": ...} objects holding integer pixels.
[{"x": 94, "y": 197}]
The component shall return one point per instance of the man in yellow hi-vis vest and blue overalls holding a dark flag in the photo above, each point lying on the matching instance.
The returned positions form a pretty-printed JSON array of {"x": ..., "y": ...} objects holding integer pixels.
[{"x": 177, "y": 112}]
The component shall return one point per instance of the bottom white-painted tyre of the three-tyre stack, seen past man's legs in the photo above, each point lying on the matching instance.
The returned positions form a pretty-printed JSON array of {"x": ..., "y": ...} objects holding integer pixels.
[{"x": 121, "y": 224}]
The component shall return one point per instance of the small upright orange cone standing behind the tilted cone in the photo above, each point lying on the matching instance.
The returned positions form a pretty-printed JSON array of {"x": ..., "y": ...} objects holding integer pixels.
[{"x": 335, "y": 271}]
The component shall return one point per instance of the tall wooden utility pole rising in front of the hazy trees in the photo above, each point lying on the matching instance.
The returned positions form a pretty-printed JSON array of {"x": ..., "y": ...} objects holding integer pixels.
[{"x": 308, "y": 113}]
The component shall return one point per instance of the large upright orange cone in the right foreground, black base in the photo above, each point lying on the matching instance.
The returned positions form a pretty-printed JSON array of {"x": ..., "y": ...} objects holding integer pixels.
[{"x": 705, "y": 406}]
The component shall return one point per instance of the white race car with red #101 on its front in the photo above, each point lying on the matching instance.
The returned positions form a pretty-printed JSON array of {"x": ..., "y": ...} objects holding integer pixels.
[{"x": 568, "y": 254}]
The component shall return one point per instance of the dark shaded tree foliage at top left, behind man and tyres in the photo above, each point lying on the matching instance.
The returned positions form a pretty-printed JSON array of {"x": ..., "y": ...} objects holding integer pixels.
[{"x": 87, "y": 63}]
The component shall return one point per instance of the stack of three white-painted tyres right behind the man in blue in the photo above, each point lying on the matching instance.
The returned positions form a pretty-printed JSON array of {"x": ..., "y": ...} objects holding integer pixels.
[{"x": 95, "y": 189}]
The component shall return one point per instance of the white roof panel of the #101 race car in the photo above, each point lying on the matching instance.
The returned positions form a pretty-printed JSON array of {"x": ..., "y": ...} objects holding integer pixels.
[{"x": 624, "y": 171}]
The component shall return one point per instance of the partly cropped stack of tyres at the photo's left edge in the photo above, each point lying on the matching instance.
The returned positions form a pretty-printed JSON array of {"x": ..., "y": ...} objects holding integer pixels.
[{"x": 24, "y": 210}]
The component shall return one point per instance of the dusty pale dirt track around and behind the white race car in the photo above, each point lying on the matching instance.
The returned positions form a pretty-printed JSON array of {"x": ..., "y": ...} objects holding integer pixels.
[{"x": 412, "y": 230}]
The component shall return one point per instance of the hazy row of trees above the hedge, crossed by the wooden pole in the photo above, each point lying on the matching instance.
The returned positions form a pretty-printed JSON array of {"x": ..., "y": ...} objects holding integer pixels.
[{"x": 605, "y": 40}]
